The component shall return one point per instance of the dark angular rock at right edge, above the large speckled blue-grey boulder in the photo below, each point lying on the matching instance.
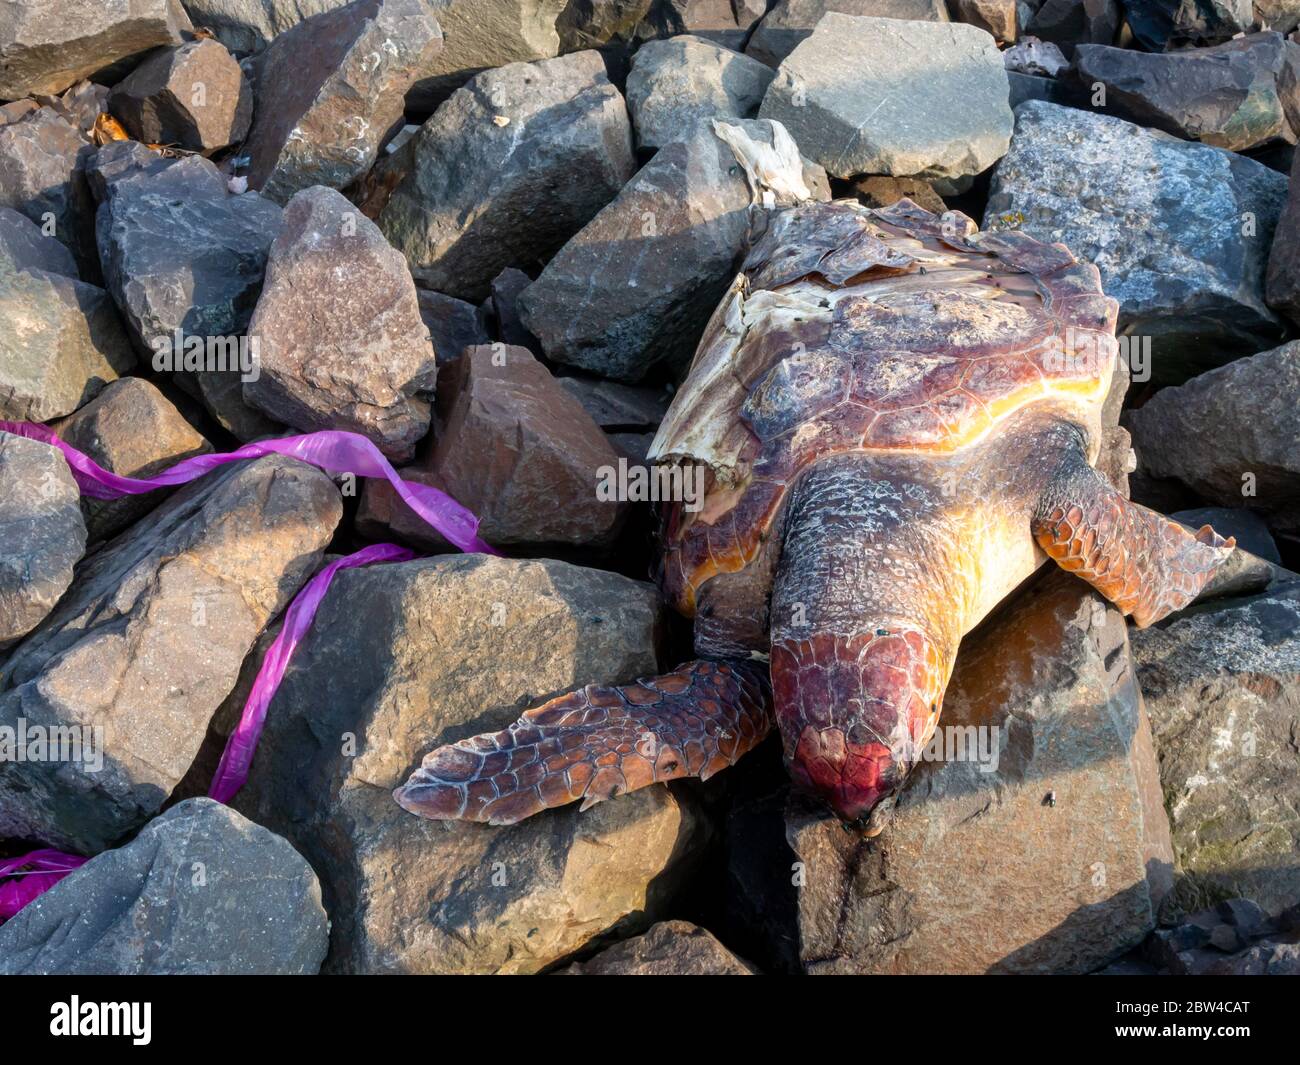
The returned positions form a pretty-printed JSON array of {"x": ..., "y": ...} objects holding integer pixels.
[{"x": 1227, "y": 96}]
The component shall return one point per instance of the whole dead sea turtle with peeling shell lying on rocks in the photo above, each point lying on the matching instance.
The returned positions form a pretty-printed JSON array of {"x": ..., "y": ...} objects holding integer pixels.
[{"x": 900, "y": 419}]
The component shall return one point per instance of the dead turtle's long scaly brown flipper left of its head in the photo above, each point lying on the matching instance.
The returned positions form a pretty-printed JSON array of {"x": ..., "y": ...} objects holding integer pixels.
[{"x": 597, "y": 743}]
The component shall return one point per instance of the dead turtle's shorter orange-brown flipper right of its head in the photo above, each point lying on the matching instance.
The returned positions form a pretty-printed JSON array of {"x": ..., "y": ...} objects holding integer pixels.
[{"x": 1143, "y": 562}]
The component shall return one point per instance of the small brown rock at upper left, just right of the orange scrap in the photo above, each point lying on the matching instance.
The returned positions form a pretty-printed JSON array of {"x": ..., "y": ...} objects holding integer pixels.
[{"x": 194, "y": 97}]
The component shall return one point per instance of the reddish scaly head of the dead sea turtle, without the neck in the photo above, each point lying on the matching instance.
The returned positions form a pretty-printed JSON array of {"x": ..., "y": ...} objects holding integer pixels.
[{"x": 856, "y": 713}]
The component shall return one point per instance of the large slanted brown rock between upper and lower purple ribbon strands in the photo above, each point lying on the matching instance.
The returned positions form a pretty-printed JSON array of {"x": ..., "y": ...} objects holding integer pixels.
[{"x": 149, "y": 642}]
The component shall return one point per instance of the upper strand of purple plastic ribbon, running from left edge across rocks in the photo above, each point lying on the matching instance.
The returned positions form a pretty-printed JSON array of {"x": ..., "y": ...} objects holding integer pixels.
[{"x": 332, "y": 451}]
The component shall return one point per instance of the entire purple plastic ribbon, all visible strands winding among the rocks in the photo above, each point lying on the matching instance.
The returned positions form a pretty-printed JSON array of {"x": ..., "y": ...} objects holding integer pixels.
[{"x": 332, "y": 451}]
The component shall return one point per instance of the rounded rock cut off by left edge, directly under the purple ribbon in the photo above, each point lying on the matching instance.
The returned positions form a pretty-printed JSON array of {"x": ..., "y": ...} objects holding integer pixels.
[{"x": 42, "y": 534}]
